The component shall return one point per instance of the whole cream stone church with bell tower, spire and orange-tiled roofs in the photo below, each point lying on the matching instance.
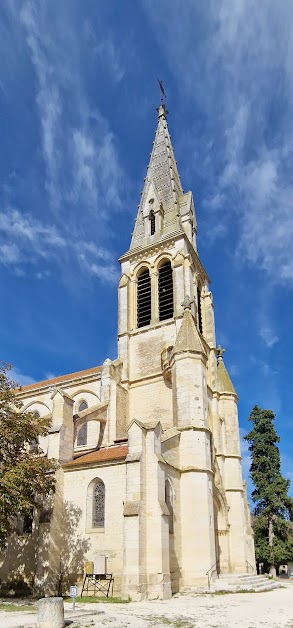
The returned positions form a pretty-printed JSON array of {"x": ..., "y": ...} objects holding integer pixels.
[{"x": 150, "y": 481}]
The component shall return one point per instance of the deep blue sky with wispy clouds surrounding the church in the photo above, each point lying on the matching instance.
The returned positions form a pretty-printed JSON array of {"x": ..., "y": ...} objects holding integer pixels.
[{"x": 78, "y": 92}]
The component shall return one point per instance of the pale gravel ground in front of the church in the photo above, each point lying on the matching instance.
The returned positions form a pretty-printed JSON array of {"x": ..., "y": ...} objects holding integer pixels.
[{"x": 273, "y": 609}]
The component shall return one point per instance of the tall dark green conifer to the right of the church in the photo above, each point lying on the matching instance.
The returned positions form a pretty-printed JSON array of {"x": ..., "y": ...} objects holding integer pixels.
[{"x": 273, "y": 509}]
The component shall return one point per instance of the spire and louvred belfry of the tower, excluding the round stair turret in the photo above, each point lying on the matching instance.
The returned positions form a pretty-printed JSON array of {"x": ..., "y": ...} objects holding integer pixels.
[{"x": 159, "y": 270}]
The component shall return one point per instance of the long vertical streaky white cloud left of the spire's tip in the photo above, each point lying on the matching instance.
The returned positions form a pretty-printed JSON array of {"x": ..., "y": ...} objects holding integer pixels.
[{"x": 79, "y": 150}]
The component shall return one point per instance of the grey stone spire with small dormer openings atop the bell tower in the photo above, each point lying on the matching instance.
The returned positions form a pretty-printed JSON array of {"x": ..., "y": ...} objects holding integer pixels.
[{"x": 164, "y": 206}]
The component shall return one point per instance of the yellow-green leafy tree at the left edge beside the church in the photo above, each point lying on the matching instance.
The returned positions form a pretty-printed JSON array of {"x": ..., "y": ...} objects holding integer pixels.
[{"x": 26, "y": 475}]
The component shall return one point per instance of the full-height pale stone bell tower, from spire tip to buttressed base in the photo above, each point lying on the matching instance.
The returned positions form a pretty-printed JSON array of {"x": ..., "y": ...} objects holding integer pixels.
[{"x": 181, "y": 410}]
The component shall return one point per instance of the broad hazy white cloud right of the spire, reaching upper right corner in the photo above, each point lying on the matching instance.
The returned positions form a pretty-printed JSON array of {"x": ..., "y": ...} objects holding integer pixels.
[{"x": 246, "y": 149}]
